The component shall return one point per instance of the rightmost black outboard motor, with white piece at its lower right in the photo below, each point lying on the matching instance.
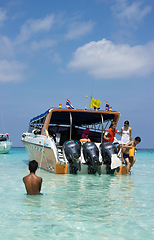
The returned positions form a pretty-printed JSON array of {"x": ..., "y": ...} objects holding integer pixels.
[{"x": 109, "y": 152}]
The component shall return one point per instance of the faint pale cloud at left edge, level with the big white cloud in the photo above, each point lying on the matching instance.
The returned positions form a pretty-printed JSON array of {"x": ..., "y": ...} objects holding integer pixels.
[{"x": 11, "y": 71}]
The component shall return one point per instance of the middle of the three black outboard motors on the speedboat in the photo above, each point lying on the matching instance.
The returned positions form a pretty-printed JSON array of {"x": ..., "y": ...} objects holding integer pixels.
[{"x": 91, "y": 156}]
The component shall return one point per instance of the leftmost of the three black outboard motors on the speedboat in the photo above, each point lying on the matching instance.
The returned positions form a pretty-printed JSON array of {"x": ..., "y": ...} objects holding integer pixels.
[{"x": 72, "y": 151}]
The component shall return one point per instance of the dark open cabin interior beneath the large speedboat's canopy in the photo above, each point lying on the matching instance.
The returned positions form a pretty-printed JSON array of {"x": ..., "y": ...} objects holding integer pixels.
[{"x": 70, "y": 124}]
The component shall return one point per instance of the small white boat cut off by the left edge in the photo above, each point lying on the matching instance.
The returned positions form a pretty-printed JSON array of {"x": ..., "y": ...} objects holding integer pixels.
[{"x": 5, "y": 143}]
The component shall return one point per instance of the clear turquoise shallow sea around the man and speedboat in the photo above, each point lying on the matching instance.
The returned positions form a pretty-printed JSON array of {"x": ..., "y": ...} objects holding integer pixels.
[{"x": 77, "y": 206}]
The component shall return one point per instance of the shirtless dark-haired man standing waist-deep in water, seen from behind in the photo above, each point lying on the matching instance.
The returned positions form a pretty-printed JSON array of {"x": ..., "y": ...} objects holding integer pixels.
[{"x": 32, "y": 182}]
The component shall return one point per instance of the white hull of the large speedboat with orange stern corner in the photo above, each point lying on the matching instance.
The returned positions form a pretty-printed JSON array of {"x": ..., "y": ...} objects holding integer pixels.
[{"x": 45, "y": 152}]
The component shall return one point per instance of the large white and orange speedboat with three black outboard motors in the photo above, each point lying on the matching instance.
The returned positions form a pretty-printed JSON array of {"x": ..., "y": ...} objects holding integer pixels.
[{"x": 54, "y": 141}]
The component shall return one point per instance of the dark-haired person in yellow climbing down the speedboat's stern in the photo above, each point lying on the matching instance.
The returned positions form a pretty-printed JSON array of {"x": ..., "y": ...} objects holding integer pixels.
[{"x": 125, "y": 153}]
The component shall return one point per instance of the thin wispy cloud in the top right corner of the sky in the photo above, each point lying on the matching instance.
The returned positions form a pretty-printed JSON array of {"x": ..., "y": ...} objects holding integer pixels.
[{"x": 130, "y": 13}]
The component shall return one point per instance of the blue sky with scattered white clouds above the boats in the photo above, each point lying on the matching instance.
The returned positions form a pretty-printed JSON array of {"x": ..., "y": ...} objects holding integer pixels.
[{"x": 54, "y": 50}]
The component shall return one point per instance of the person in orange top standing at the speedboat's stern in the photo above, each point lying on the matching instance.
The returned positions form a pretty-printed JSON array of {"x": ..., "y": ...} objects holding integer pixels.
[{"x": 111, "y": 132}]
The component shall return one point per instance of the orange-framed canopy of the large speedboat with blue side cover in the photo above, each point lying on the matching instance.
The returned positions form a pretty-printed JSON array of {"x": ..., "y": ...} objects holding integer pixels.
[{"x": 94, "y": 120}]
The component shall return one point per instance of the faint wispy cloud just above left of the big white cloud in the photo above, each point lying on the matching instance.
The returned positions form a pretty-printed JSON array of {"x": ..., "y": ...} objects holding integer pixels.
[{"x": 78, "y": 29}]
